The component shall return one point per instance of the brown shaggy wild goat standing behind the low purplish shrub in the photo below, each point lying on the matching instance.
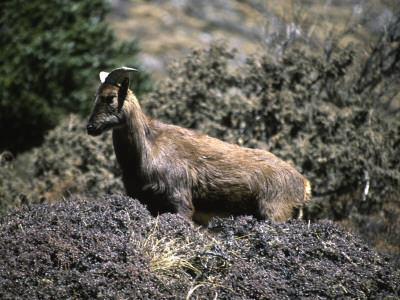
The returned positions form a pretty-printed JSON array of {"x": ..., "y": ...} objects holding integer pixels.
[{"x": 172, "y": 169}]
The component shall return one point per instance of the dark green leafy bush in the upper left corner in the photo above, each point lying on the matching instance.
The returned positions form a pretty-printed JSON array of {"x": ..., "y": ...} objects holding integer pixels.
[{"x": 50, "y": 56}]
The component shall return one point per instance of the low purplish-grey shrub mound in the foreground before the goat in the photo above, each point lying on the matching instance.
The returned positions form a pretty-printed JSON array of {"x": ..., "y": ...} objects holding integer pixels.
[{"x": 104, "y": 250}]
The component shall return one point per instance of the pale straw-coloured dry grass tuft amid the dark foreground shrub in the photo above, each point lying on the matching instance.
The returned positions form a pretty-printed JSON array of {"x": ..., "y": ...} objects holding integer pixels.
[{"x": 201, "y": 265}]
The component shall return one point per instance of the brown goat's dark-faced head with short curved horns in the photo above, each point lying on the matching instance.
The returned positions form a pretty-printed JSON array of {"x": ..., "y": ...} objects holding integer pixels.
[{"x": 107, "y": 111}]
